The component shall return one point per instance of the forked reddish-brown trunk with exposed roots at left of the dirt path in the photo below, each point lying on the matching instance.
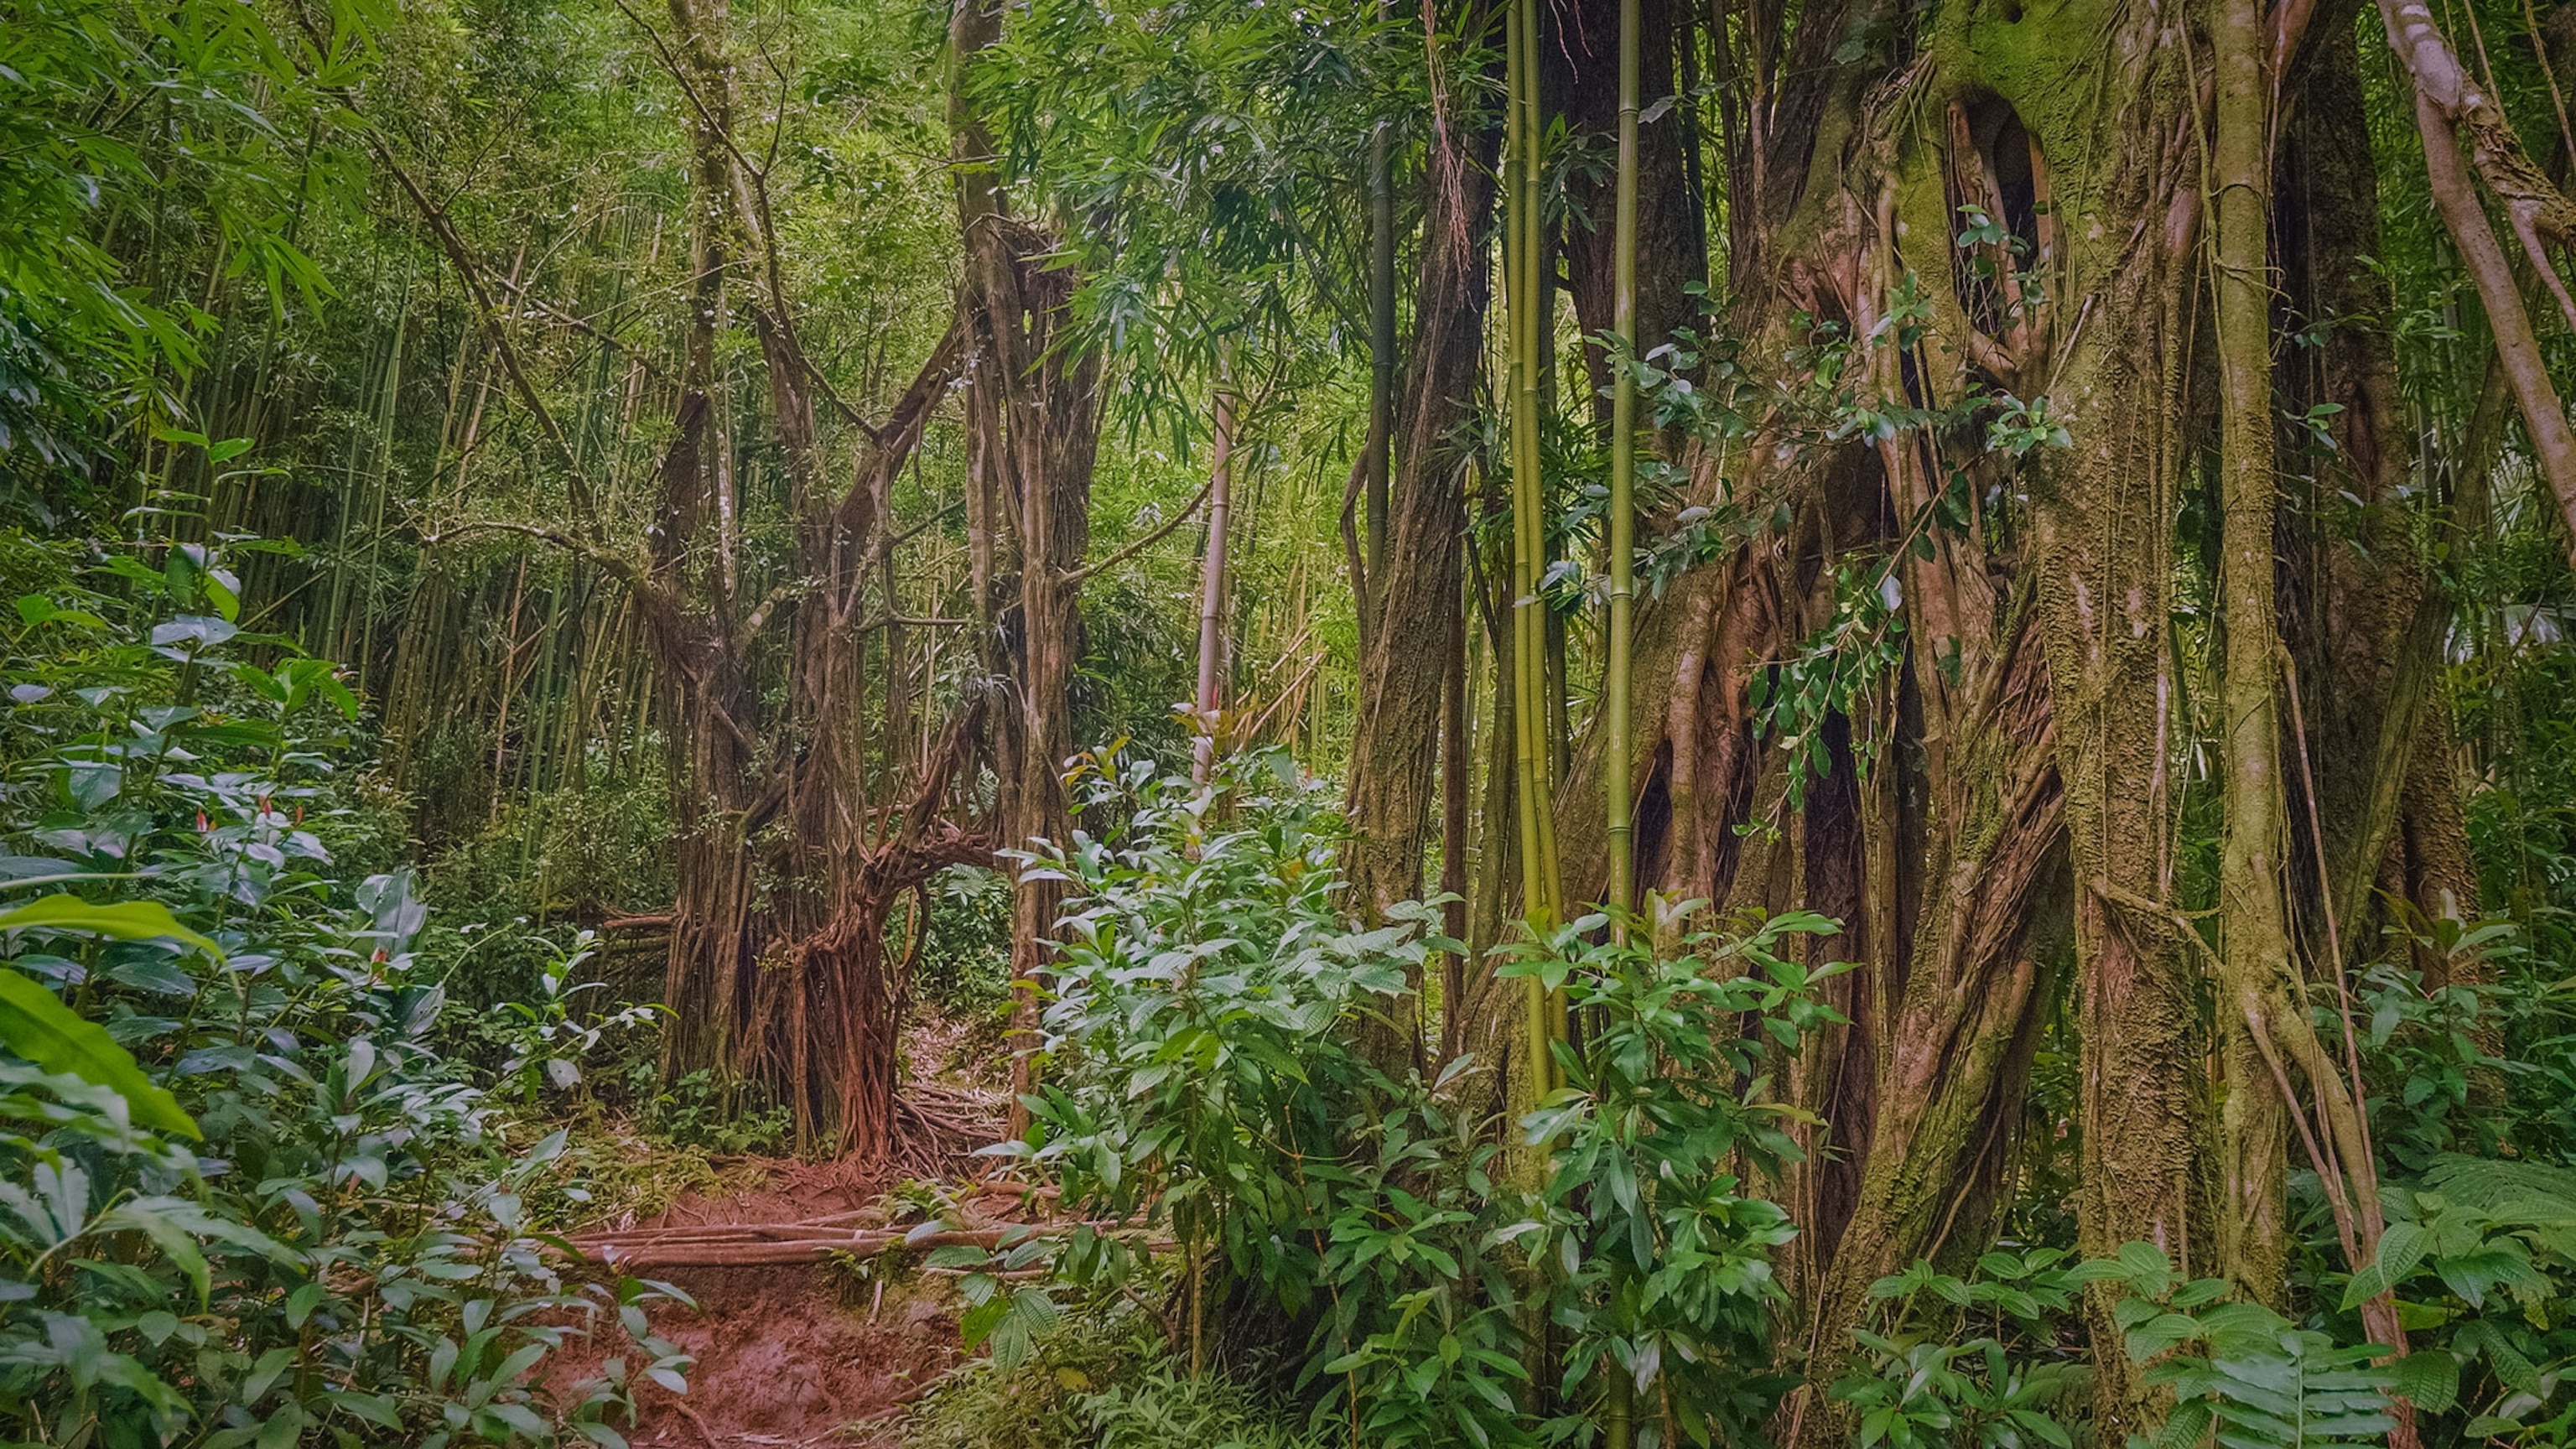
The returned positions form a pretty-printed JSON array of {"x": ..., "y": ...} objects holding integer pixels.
[{"x": 777, "y": 968}]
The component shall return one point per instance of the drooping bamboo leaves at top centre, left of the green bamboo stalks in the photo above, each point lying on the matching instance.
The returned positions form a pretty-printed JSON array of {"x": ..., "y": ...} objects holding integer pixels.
[{"x": 1212, "y": 146}]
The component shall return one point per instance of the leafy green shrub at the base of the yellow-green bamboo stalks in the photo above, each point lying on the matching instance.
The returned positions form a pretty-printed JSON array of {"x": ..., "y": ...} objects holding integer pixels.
[{"x": 1658, "y": 1265}]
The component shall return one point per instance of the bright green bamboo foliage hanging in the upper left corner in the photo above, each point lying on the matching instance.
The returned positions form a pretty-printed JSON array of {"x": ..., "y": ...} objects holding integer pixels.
[{"x": 194, "y": 115}]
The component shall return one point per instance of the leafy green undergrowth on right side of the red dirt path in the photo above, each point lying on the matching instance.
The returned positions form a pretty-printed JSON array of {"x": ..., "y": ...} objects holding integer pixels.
[{"x": 1354, "y": 1257}]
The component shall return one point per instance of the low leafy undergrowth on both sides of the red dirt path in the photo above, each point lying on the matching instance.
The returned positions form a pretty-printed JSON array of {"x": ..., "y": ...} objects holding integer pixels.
[{"x": 287, "y": 1149}]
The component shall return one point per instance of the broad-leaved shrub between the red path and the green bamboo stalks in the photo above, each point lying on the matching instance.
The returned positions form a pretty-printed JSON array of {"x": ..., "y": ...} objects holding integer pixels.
[{"x": 1197, "y": 1066}]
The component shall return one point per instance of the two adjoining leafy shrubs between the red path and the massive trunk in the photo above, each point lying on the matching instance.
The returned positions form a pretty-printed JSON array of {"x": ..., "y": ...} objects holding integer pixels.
[{"x": 1251, "y": 1180}]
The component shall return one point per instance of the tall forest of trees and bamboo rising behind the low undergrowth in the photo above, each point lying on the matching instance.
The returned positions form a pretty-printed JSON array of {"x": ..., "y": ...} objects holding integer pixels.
[{"x": 2078, "y": 494}]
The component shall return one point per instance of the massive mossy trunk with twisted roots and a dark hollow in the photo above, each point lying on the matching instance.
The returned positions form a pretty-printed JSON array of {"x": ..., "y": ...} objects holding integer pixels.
[{"x": 2023, "y": 749}]
